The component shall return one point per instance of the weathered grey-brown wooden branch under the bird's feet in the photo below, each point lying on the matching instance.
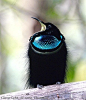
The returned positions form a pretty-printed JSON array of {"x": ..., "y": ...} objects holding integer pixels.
[{"x": 67, "y": 91}]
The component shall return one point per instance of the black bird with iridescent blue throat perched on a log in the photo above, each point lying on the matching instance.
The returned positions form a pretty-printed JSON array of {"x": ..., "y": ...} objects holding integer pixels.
[{"x": 47, "y": 55}]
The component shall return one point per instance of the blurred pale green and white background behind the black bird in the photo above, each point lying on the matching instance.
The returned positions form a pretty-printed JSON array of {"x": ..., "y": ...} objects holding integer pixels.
[{"x": 16, "y": 27}]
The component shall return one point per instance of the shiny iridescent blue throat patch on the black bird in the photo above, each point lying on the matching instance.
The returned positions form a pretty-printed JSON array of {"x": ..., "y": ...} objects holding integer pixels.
[{"x": 46, "y": 42}]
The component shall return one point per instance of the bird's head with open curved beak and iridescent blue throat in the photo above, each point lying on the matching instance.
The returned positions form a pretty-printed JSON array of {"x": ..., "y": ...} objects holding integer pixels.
[{"x": 48, "y": 39}]
